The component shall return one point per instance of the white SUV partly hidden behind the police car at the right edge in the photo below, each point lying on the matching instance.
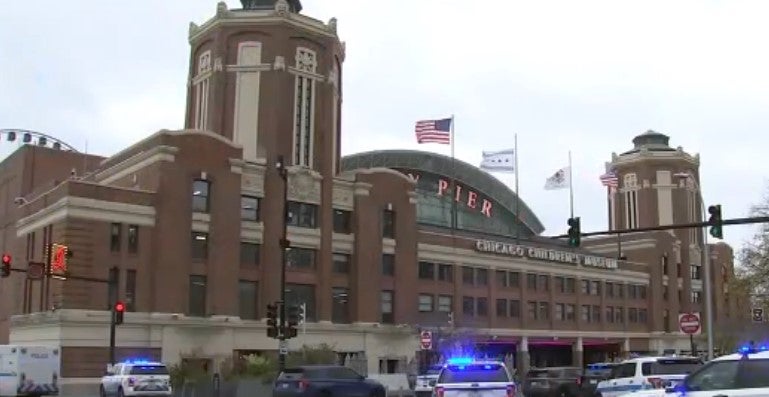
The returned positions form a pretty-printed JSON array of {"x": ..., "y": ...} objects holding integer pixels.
[{"x": 644, "y": 373}]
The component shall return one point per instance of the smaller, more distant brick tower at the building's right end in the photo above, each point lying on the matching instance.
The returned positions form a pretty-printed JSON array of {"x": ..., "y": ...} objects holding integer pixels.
[{"x": 659, "y": 185}]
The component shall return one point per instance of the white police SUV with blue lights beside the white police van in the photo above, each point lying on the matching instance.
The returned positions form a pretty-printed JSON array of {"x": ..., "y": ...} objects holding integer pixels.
[{"x": 136, "y": 378}]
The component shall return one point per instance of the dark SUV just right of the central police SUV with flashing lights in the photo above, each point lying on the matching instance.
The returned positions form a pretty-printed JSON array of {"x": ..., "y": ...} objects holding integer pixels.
[{"x": 553, "y": 381}]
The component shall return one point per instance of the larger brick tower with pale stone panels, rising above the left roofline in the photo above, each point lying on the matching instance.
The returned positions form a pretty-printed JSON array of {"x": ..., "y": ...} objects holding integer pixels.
[{"x": 268, "y": 78}]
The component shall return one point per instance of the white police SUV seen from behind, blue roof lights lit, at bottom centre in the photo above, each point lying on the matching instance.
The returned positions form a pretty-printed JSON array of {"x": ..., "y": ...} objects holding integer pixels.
[{"x": 462, "y": 377}]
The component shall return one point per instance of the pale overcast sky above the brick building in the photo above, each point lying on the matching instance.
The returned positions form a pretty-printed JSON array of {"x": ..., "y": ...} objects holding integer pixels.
[{"x": 563, "y": 76}]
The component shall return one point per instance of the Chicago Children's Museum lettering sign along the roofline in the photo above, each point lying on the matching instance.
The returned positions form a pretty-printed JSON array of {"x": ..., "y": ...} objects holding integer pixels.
[{"x": 544, "y": 254}]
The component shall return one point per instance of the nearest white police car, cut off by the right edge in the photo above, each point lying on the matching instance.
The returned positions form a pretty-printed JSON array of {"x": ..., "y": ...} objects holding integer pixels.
[{"x": 744, "y": 374}]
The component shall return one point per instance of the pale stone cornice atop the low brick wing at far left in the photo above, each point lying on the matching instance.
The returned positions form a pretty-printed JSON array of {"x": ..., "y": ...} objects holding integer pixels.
[{"x": 89, "y": 209}]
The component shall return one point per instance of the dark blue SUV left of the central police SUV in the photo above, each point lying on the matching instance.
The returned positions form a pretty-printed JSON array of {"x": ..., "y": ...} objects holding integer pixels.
[{"x": 325, "y": 381}]
